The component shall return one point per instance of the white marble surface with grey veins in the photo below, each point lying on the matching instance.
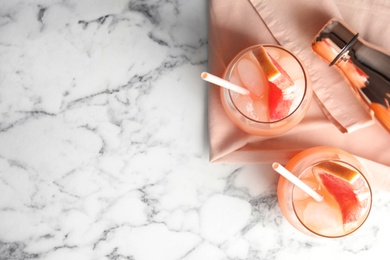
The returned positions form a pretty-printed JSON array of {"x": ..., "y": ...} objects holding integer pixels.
[{"x": 103, "y": 144}]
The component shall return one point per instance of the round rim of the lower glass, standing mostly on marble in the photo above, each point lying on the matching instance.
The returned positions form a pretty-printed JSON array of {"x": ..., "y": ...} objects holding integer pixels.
[{"x": 366, "y": 214}]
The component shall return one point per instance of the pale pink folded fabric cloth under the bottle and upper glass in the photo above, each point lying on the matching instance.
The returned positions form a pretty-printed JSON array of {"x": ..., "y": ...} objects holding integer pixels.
[{"x": 335, "y": 118}]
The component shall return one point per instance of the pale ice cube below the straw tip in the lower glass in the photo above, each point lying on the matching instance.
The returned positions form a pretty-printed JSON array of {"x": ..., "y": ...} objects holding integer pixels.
[{"x": 323, "y": 218}]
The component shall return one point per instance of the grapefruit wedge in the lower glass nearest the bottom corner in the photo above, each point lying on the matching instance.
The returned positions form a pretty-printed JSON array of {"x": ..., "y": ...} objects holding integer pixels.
[{"x": 339, "y": 182}]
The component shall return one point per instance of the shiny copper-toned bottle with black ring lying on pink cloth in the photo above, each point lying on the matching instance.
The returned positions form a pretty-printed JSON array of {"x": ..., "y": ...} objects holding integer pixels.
[{"x": 365, "y": 65}]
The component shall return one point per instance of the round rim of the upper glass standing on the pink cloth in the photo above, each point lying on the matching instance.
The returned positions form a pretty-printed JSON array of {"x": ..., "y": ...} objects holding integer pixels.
[{"x": 234, "y": 62}]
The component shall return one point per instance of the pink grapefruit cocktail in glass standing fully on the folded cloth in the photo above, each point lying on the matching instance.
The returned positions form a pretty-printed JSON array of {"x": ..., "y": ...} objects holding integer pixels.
[{"x": 280, "y": 90}]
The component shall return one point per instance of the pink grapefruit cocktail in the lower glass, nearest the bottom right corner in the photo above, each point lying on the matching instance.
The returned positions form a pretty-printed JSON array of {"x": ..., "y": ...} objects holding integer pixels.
[{"x": 340, "y": 179}]
